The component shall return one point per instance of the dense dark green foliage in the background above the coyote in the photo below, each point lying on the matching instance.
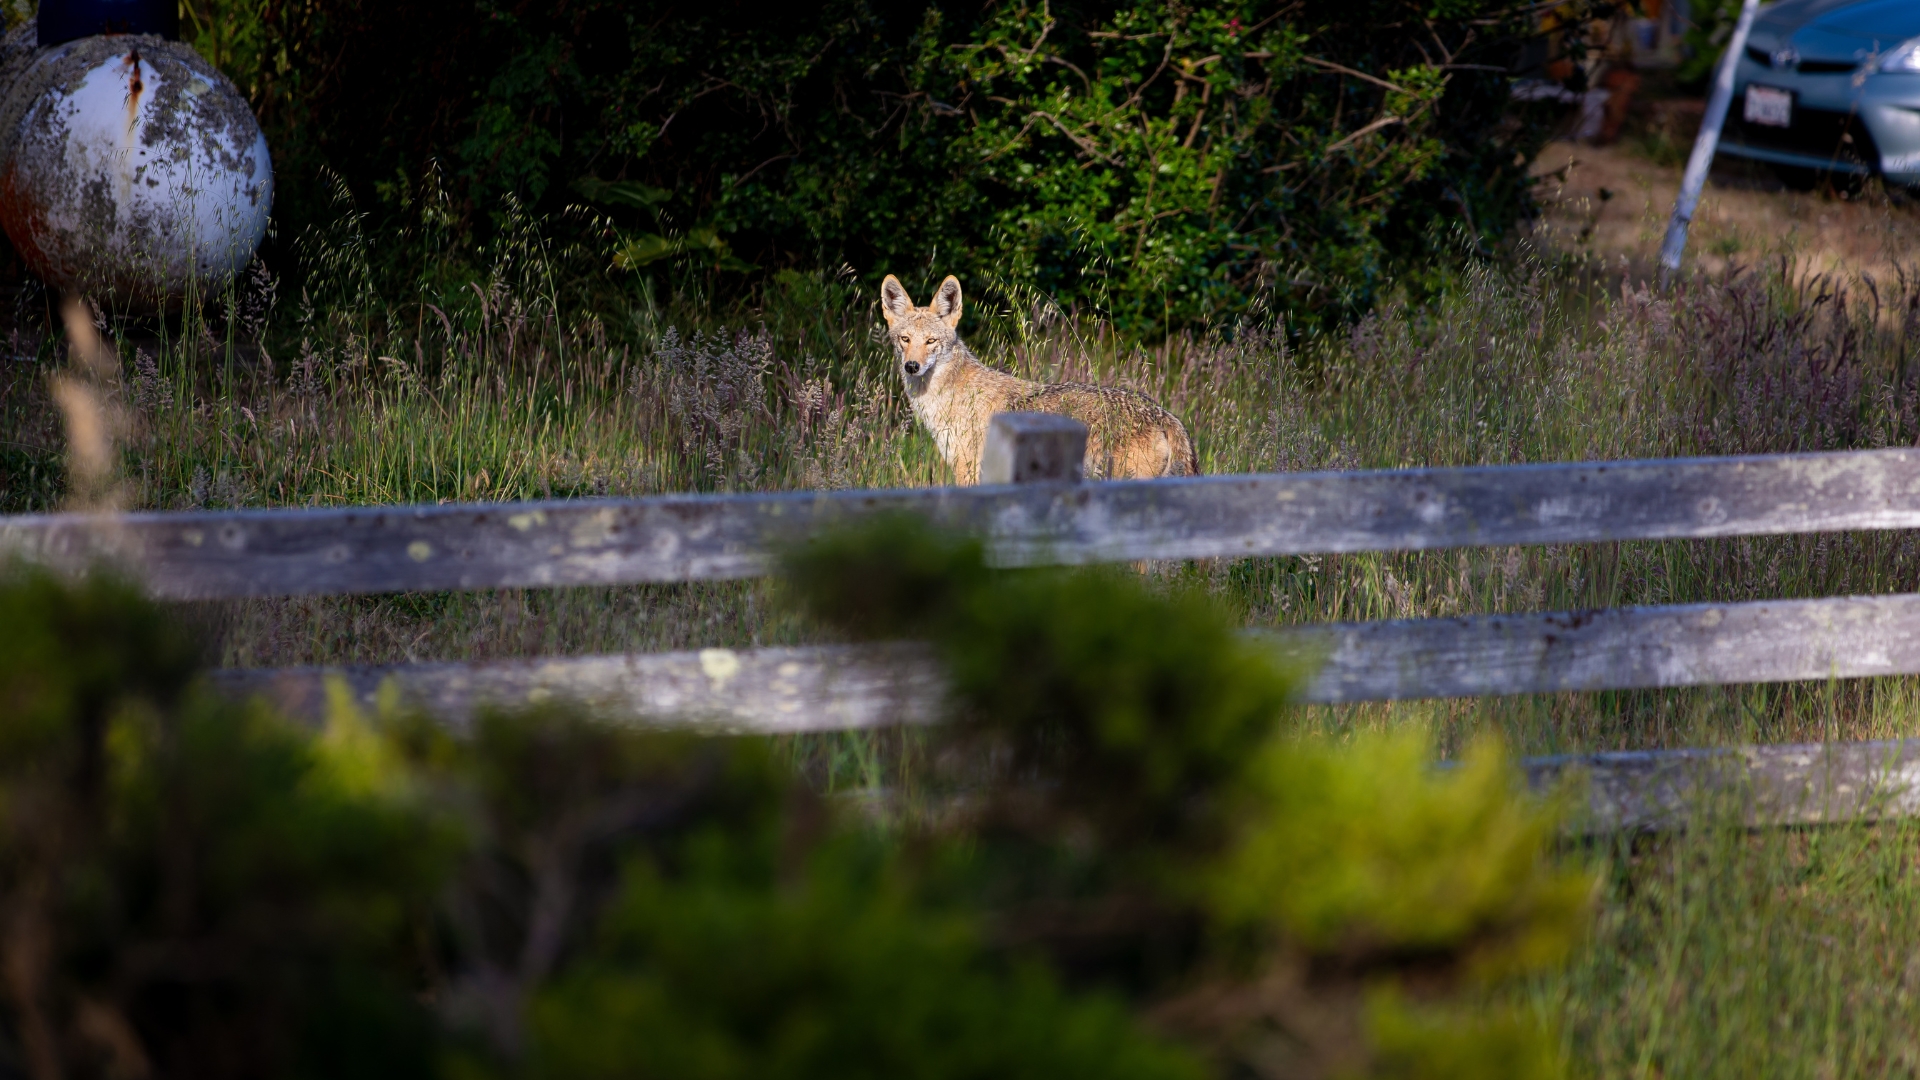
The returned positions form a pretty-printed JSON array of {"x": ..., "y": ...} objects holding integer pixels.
[{"x": 1161, "y": 162}]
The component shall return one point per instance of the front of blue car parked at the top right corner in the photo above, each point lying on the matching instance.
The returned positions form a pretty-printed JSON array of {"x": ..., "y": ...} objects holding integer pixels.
[{"x": 1831, "y": 89}]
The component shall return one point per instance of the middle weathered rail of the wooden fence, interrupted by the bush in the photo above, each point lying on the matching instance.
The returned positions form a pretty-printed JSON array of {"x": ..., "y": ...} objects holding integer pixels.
[{"x": 1476, "y": 656}]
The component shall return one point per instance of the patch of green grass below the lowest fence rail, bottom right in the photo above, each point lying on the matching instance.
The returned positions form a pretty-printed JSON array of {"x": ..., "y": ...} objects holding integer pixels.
[{"x": 1727, "y": 952}]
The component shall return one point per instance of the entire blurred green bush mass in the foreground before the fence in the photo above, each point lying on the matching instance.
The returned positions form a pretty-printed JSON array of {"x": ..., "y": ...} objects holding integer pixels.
[{"x": 1122, "y": 866}]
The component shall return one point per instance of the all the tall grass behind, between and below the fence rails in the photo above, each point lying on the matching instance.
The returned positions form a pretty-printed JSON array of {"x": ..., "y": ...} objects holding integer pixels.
[{"x": 1717, "y": 952}]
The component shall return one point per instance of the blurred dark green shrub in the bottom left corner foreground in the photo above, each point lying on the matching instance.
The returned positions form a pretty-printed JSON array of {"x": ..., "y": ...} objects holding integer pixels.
[{"x": 191, "y": 887}]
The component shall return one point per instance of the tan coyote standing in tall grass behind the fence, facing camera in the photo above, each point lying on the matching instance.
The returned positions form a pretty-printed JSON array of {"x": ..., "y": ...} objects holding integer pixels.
[{"x": 955, "y": 395}]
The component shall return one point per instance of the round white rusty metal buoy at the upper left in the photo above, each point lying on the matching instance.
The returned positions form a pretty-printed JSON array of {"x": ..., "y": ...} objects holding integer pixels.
[{"x": 130, "y": 168}]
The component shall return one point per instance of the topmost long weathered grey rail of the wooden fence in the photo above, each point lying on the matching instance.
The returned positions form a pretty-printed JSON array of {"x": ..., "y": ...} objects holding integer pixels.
[{"x": 293, "y": 552}]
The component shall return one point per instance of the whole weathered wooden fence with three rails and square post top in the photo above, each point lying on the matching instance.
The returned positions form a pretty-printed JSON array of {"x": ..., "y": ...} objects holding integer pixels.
[{"x": 1044, "y": 514}]
